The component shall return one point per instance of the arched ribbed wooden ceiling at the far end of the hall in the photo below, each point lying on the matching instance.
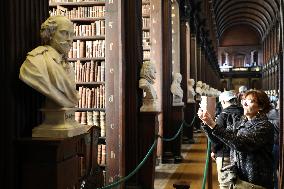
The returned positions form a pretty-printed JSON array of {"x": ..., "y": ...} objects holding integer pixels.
[{"x": 259, "y": 14}]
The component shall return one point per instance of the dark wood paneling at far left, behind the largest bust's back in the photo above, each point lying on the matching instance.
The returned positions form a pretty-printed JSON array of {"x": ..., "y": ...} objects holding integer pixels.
[{"x": 19, "y": 113}]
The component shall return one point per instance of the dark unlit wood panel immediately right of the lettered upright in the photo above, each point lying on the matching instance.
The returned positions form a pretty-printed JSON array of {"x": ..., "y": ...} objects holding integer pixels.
[{"x": 133, "y": 95}]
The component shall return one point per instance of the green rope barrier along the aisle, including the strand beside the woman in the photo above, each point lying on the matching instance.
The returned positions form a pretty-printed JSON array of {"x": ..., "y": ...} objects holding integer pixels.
[{"x": 149, "y": 153}]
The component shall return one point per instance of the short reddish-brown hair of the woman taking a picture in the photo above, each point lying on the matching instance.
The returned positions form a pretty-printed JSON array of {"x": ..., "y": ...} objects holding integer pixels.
[{"x": 261, "y": 99}]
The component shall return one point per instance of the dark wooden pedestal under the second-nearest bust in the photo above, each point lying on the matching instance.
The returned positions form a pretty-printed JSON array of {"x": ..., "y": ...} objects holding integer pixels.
[{"x": 148, "y": 129}]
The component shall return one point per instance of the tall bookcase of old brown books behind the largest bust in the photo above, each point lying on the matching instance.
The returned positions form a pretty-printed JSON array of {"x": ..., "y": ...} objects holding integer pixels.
[{"x": 87, "y": 57}]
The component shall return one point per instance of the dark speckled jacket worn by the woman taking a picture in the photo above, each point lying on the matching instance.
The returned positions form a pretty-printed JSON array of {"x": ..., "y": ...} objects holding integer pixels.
[{"x": 251, "y": 143}]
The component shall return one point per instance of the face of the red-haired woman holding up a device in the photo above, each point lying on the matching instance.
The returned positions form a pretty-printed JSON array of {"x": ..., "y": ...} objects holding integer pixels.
[{"x": 250, "y": 106}]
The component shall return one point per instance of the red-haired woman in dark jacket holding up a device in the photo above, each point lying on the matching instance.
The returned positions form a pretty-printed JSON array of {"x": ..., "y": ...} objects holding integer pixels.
[{"x": 250, "y": 140}]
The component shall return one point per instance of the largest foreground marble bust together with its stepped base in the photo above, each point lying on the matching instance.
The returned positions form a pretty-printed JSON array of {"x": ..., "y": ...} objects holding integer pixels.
[{"x": 46, "y": 70}]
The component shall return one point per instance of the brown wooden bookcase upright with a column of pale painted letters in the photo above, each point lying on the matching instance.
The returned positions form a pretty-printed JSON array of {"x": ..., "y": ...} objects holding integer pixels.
[{"x": 114, "y": 90}]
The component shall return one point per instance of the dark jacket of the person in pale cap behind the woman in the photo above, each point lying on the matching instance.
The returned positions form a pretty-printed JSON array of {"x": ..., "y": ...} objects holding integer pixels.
[{"x": 229, "y": 115}]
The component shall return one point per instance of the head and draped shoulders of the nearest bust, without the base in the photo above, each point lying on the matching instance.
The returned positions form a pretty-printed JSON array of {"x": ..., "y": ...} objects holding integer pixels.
[{"x": 46, "y": 69}]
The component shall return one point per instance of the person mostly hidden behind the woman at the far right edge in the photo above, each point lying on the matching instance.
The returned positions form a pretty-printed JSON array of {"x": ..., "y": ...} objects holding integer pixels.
[{"x": 273, "y": 117}]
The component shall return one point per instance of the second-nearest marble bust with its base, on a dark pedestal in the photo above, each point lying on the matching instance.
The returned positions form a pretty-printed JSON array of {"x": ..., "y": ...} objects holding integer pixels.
[{"x": 147, "y": 79}]
